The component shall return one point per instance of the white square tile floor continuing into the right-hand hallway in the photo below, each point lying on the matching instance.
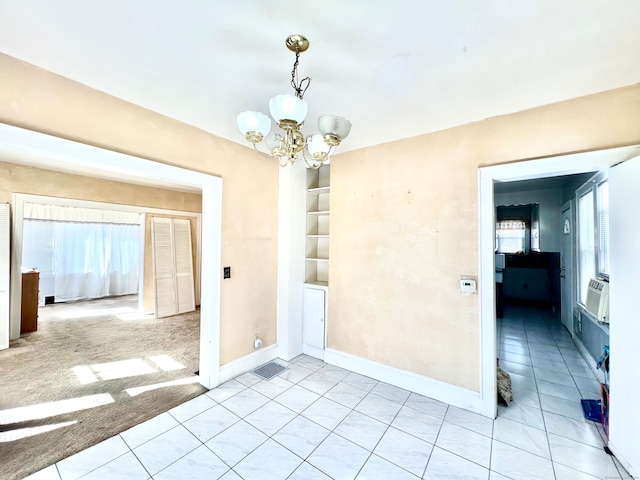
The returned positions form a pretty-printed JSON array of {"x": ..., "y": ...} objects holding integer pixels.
[{"x": 317, "y": 421}]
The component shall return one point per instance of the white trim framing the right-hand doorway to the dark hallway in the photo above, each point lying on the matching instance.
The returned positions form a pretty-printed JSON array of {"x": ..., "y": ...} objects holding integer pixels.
[{"x": 487, "y": 176}]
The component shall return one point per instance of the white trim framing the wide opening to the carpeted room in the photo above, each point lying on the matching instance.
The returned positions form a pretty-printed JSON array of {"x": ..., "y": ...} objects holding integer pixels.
[{"x": 36, "y": 149}]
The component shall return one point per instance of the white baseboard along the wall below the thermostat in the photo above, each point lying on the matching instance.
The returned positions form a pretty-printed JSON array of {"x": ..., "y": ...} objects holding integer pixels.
[{"x": 444, "y": 392}]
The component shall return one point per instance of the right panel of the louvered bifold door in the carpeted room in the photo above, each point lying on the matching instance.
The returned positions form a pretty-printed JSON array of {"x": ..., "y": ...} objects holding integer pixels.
[{"x": 183, "y": 265}]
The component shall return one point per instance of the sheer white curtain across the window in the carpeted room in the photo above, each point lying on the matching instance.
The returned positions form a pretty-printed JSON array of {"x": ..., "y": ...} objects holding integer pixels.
[{"x": 89, "y": 253}]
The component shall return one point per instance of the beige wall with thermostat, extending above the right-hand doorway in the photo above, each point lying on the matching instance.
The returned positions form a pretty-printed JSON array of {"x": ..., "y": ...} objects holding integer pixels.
[{"x": 404, "y": 227}]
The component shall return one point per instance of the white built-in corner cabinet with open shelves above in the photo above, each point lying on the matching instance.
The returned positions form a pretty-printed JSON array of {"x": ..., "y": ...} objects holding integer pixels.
[{"x": 316, "y": 262}]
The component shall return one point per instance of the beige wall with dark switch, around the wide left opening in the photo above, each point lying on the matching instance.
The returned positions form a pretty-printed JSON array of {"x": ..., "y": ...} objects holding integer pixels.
[{"x": 41, "y": 101}]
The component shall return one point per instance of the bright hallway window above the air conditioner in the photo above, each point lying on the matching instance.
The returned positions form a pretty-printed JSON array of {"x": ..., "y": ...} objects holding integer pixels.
[{"x": 593, "y": 232}]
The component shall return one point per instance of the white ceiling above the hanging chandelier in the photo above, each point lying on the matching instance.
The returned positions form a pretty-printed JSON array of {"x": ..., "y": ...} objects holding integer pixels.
[{"x": 396, "y": 69}]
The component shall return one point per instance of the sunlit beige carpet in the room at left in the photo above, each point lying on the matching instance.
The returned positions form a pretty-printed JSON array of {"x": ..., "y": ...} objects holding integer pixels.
[{"x": 88, "y": 358}]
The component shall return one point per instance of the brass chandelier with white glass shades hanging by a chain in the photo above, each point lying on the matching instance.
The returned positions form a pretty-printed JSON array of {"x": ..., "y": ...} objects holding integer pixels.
[{"x": 289, "y": 111}]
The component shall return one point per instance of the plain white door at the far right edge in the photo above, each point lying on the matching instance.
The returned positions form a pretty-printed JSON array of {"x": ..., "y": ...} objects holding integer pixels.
[{"x": 624, "y": 248}]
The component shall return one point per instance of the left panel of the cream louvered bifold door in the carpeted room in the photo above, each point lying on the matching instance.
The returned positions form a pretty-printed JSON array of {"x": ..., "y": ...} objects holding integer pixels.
[{"x": 164, "y": 280}]
